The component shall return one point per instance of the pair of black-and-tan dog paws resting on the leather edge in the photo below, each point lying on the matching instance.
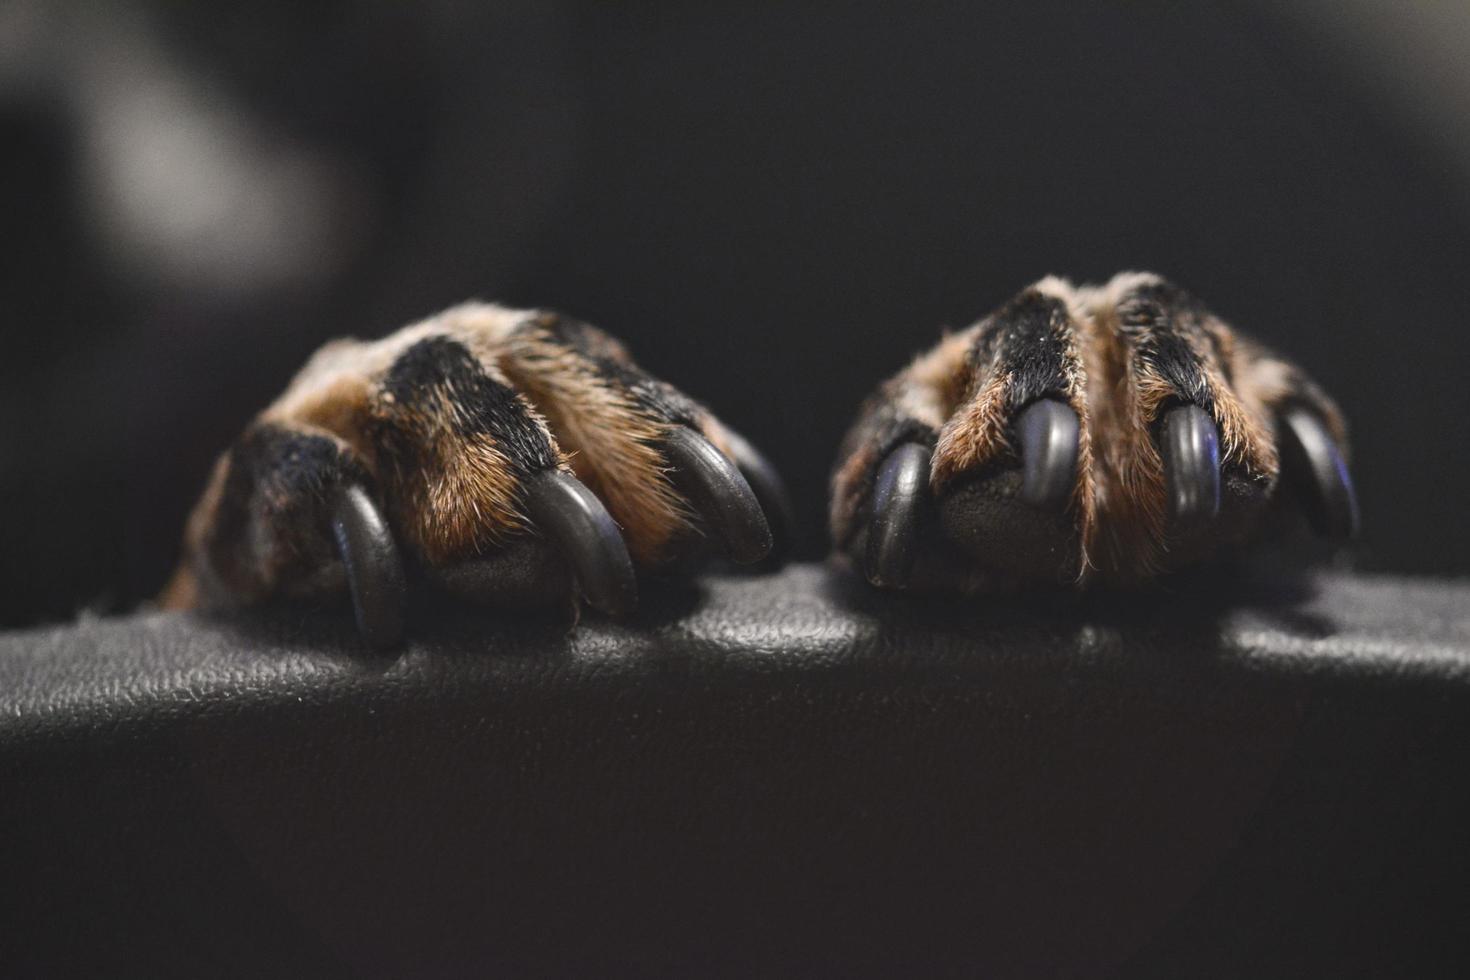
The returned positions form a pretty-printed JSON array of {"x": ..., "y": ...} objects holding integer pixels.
[{"x": 1078, "y": 434}]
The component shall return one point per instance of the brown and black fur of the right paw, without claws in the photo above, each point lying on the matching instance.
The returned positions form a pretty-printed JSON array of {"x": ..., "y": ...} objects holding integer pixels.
[{"x": 1119, "y": 355}]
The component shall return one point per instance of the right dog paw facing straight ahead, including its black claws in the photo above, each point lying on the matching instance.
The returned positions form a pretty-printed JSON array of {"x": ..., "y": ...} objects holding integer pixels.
[{"x": 1084, "y": 434}]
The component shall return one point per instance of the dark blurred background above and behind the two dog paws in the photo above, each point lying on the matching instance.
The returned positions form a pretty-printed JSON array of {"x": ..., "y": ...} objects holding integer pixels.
[{"x": 774, "y": 205}]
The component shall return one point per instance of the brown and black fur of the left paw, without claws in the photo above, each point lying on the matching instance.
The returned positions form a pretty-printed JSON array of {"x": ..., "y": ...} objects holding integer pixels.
[{"x": 442, "y": 422}]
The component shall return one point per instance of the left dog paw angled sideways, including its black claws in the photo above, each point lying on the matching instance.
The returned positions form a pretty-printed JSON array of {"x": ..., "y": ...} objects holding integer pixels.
[{"x": 505, "y": 455}]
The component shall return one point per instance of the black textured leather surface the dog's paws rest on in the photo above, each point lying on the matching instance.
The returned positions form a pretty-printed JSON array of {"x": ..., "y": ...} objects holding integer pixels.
[{"x": 780, "y": 777}]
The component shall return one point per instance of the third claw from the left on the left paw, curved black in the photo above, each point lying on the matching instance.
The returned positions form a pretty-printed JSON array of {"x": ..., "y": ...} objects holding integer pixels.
[{"x": 720, "y": 494}]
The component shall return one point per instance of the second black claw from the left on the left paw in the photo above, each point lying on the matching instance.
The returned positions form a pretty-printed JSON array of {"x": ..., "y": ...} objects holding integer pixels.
[{"x": 586, "y": 534}]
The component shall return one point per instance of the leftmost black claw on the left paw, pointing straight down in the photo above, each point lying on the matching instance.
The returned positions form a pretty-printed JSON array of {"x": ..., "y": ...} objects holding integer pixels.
[{"x": 374, "y": 571}]
